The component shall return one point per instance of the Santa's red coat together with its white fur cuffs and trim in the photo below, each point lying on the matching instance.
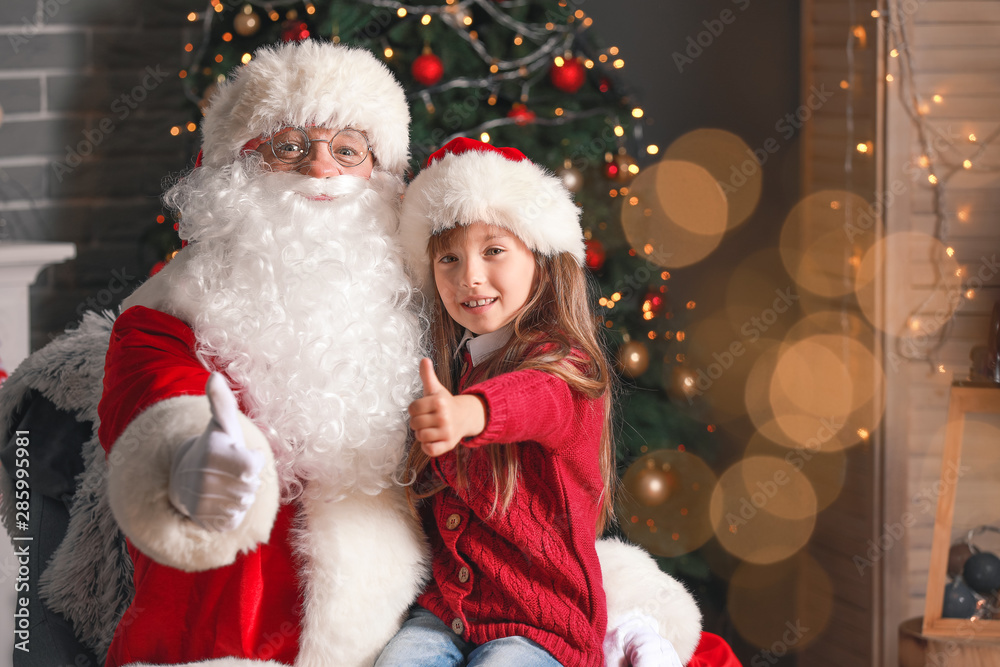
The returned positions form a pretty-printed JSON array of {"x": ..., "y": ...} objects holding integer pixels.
[{"x": 243, "y": 594}]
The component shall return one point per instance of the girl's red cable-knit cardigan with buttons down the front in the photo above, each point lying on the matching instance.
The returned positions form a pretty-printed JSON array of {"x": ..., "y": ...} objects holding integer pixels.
[{"x": 532, "y": 571}]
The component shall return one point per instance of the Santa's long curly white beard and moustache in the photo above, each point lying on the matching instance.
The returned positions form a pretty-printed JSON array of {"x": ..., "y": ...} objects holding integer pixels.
[{"x": 306, "y": 307}]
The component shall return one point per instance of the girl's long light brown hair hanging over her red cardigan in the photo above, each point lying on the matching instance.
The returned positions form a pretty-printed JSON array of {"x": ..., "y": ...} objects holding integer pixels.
[{"x": 555, "y": 332}]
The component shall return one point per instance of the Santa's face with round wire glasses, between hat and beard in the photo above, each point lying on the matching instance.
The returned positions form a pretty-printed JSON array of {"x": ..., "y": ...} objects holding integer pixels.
[{"x": 324, "y": 153}]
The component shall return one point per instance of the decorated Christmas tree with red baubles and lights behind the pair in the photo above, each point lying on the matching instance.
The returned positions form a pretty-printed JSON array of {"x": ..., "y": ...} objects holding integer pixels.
[{"x": 532, "y": 74}]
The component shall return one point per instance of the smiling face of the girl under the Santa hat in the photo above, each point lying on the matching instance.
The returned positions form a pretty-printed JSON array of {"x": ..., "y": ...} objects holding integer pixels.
[{"x": 484, "y": 277}]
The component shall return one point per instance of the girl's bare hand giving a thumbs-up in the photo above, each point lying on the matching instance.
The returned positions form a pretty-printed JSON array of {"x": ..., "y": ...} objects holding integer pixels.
[{"x": 440, "y": 420}]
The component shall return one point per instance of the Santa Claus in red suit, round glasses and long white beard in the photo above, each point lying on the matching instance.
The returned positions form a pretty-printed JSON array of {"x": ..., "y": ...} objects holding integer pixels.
[{"x": 254, "y": 400}]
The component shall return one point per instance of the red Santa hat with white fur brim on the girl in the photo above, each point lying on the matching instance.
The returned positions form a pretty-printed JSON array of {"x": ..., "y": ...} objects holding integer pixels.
[{"x": 469, "y": 181}]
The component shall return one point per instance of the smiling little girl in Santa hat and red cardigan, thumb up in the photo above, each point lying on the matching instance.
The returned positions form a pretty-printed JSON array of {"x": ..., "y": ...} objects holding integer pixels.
[{"x": 513, "y": 460}]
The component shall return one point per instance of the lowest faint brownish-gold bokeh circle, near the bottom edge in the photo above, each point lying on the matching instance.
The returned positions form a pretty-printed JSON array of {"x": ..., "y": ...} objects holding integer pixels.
[{"x": 782, "y": 607}]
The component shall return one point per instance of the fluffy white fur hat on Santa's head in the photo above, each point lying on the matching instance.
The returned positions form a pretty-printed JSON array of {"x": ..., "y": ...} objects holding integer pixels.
[{"x": 309, "y": 83}]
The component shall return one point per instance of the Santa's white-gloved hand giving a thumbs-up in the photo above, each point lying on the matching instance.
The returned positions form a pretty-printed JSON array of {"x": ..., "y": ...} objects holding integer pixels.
[{"x": 214, "y": 477}]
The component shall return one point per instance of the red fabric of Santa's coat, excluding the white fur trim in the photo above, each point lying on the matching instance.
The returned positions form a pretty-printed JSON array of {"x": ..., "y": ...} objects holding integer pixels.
[{"x": 248, "y": 609}]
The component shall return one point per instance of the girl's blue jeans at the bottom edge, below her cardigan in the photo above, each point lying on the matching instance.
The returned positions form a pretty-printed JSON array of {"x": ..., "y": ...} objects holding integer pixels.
[{"x": 425, "y": 641}]
